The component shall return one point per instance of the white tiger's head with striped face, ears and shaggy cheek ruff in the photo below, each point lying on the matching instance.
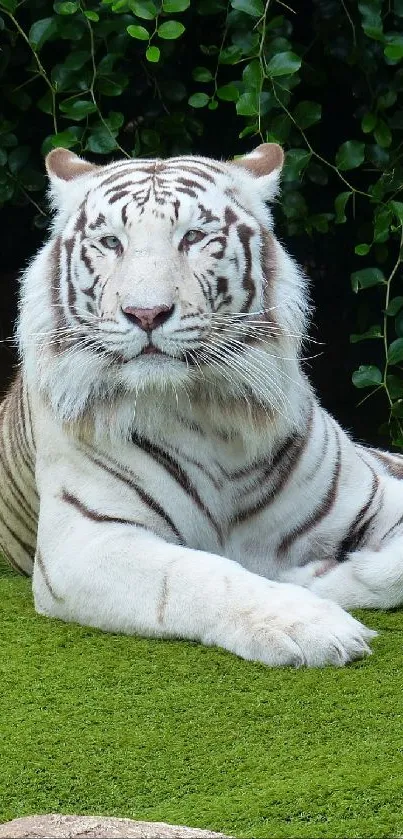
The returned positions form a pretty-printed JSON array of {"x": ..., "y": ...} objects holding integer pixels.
[{"x": 158, "y": 274}]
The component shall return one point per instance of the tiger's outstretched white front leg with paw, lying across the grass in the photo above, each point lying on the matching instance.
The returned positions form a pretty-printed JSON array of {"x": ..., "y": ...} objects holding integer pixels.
[{"x": 121, "y": 577}]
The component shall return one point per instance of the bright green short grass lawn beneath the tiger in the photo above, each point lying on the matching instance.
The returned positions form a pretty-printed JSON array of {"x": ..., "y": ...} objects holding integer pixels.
[{"x": 172, "y": 731}]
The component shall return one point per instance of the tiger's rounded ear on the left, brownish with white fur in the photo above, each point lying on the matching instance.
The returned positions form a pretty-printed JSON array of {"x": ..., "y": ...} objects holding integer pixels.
[{"x": 64, "y": 169}]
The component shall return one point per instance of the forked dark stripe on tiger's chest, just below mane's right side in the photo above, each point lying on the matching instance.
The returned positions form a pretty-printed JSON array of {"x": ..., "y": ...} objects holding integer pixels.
[{"x": 280, "y": 470}]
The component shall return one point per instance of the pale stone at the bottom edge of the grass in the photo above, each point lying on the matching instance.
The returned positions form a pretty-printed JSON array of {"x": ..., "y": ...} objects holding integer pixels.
[{"x": 55, "y": 826}]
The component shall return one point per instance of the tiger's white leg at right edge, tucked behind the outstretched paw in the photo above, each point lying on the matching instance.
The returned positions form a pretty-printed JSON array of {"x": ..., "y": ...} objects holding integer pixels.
[{"x": 366, "y": 578}]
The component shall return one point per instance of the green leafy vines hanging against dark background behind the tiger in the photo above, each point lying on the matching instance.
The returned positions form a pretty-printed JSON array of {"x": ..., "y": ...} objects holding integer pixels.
[{"x": 140, "y": 77}]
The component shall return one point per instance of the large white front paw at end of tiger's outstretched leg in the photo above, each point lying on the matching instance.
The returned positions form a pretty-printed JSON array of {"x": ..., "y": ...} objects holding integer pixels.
[{"x": 298, "y": 628}]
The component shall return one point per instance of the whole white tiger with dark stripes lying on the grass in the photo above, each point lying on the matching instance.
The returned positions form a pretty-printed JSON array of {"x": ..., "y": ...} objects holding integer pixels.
[{"x": 163, "y": 457}]
